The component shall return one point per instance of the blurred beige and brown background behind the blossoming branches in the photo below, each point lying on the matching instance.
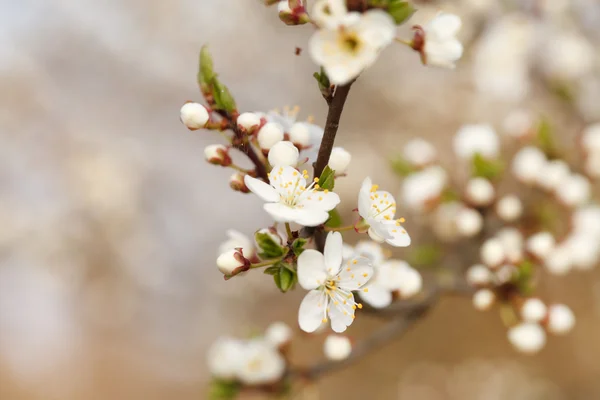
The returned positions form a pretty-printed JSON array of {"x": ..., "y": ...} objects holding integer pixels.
[{"x": 110, "y": 218}]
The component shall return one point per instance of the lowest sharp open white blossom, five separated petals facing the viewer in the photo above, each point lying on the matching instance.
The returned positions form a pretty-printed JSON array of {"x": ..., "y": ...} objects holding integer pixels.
[{"x": 331, "y": 285}]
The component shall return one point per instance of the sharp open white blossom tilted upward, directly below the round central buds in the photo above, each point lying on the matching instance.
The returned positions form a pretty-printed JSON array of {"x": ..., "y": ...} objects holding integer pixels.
[{"x": 288, "y": 199}]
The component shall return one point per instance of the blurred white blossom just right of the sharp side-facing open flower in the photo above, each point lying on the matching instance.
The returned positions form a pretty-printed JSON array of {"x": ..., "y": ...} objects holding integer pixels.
[{"x": 420, "y": 188}]
